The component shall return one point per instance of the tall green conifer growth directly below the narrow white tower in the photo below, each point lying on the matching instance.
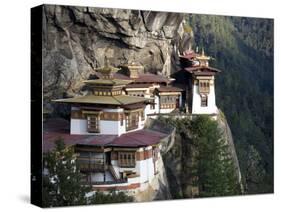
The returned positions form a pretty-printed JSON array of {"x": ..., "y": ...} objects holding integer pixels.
[{"x": 214, "y": 169}]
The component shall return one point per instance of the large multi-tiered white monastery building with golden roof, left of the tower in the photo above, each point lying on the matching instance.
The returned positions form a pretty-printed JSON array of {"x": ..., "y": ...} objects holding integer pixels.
[{"x": 117, "y": 152}]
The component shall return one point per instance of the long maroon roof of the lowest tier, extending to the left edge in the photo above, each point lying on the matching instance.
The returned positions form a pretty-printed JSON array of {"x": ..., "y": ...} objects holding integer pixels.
[{"x": 59, "y": 128}]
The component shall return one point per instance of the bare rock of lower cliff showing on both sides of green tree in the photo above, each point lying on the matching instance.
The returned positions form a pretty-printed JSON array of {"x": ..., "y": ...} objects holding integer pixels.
[{"x": 179, "y": 160}]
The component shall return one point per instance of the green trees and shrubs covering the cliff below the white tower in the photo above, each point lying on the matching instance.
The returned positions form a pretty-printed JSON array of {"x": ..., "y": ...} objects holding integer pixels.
[{"x": 206, "y": 165}]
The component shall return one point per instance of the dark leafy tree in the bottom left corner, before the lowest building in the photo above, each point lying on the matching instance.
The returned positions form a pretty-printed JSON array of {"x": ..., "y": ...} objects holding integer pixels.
[{"x": 61, "y": 178}]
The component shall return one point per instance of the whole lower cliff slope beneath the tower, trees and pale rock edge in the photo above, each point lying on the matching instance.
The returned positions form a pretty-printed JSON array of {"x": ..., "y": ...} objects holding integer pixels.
[{"x": 181, "y": 161}]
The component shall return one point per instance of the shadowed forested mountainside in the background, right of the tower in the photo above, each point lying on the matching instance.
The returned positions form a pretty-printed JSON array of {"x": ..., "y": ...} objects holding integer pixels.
[{"x": 243, "y": 49}]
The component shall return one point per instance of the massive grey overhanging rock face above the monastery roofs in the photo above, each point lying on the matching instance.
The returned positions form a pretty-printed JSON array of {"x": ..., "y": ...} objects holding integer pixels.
[{"x": 77, "y": 40}]
